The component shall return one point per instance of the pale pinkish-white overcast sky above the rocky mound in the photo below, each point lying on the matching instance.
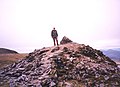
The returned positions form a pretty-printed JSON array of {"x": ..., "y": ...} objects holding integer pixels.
[{"x": 26, "y": 25}]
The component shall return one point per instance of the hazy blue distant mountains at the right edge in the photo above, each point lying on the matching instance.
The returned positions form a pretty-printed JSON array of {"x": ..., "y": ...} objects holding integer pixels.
[{"x": 112, "y": 53}]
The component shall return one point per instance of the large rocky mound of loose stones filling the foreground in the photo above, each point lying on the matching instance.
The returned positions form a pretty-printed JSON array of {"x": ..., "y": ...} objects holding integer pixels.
[{"x": 68, "y": 65}]
